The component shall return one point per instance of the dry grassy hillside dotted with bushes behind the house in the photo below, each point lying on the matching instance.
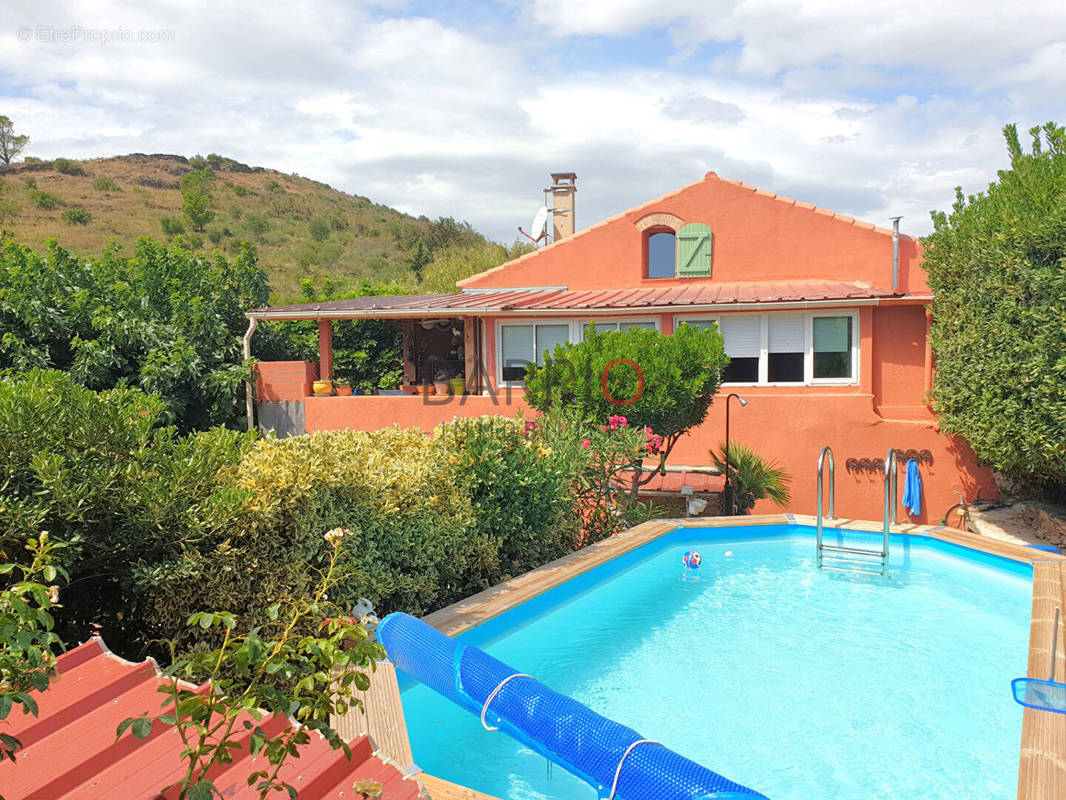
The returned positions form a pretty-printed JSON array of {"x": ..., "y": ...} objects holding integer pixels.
[{"x": 301, "y": 228}]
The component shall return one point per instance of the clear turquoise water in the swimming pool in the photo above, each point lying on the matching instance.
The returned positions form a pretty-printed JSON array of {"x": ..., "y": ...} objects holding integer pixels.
[{"x": 798, "y": 683}]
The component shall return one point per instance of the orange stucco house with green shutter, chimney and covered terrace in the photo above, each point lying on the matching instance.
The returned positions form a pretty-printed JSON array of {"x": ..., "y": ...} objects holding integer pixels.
[{"x": 826, "y": 318}]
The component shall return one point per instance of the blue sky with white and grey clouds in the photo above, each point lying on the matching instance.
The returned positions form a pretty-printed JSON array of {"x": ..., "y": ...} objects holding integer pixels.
[{"x": 874, "y": 109}]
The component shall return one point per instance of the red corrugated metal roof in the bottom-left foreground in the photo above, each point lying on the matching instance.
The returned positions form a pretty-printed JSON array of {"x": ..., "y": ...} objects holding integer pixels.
[{"x": 70, "y": 750}]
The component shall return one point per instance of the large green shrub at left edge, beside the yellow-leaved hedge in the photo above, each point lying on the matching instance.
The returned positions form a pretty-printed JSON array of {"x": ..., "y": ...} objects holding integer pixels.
[{"x": 99, "y": 472}]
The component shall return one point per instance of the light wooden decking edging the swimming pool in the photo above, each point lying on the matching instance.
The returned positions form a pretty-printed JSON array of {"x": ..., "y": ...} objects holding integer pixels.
[{"x": 1042, "y": 770}]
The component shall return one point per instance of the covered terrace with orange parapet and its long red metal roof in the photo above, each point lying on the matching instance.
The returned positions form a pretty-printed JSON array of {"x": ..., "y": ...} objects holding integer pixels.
[{"x": 487, "y": 338}]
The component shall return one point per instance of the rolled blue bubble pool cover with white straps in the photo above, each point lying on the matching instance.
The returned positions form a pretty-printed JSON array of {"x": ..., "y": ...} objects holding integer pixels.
[{"x": 559, "y": 728}]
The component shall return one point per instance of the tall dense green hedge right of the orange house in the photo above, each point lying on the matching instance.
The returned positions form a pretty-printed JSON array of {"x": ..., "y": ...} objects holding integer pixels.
[{"x": 997, "y": 267}]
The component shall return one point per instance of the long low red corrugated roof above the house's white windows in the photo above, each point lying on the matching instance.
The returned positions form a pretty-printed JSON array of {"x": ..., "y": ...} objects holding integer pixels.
[{"x": 589, "y": 300}]
